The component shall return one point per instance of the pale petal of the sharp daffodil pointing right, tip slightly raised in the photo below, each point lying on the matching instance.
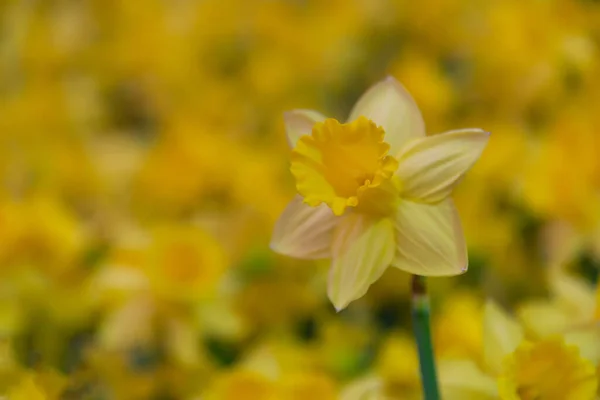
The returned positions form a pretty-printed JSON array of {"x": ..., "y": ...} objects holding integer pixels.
[{"x": 430, "y": 167}]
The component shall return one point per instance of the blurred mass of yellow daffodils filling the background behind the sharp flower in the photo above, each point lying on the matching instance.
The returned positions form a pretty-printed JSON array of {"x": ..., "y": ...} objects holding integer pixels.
[{"x": 143, "y": 162}]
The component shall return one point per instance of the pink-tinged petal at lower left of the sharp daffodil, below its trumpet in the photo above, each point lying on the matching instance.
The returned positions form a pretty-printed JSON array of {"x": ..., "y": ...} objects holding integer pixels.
[{"x": 303, "y": 231}]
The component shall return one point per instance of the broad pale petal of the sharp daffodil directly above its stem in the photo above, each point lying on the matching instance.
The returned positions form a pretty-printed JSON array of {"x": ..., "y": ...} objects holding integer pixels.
[{"x": 429, "y": 239}]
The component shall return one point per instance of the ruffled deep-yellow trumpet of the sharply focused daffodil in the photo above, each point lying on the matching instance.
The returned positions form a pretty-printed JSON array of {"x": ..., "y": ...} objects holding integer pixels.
[{"x": 345, "y": 165}]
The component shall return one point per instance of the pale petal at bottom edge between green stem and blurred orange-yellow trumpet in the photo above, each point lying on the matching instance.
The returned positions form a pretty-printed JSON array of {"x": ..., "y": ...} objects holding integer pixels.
[{"x": 463, "y": 380}]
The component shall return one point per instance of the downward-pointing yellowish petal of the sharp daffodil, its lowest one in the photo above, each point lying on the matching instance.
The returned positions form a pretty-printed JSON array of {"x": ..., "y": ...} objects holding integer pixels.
[{"x": 362, "y": 249}]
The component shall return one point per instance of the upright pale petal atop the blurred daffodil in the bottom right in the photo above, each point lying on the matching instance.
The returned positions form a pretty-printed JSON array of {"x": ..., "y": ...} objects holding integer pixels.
[{"x": 501, "y": 335}]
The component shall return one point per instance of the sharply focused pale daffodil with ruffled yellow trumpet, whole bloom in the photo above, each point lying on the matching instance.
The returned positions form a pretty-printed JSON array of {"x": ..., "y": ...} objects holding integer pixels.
[{"x": 374, "y": 192}]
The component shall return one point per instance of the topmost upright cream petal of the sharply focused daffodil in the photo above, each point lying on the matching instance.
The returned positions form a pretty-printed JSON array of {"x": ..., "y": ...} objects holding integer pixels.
[{"x": 389, "y": 105}]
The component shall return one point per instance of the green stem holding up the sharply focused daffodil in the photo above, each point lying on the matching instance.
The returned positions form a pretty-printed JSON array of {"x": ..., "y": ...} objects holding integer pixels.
[{"x": 422, "y": 330}]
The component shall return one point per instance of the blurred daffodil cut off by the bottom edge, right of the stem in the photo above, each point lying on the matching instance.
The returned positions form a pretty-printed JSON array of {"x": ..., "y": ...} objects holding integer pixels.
[{"x": 516, "y": 368}]
